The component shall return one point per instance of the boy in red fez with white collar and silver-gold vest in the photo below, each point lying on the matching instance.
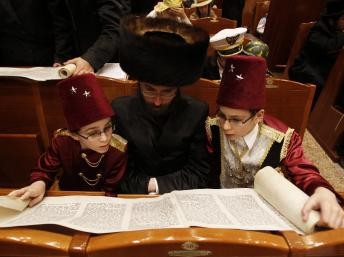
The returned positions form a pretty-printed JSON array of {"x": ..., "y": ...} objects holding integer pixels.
[{"x": 245, "y": 140}]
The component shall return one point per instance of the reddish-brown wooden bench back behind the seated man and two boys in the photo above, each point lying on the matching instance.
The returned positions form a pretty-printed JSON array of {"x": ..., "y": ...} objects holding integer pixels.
[{"x": 31, "y": 112}]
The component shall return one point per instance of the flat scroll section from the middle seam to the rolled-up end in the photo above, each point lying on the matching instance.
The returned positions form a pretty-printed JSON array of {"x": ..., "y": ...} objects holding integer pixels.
[{"x": 239, "y": 208}]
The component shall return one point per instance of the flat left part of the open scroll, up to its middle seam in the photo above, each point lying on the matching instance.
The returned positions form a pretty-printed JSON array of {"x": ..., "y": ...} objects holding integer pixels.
[{"x": 98, "y": 214}]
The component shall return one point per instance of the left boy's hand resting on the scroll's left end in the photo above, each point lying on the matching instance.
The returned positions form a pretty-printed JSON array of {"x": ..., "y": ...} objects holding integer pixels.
[{"x": 35, "y": 192}]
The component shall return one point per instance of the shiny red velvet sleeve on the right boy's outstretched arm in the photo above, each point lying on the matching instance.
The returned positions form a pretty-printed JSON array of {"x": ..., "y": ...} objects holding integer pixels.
[{"x": 303, "y": 173}]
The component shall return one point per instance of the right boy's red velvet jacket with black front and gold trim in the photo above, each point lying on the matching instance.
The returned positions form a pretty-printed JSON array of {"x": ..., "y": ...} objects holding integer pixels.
[{"x": 288, "y": 154}]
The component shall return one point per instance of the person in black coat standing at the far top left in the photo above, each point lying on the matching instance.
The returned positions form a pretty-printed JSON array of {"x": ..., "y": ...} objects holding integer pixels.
[{"x": 26, "y": 33}]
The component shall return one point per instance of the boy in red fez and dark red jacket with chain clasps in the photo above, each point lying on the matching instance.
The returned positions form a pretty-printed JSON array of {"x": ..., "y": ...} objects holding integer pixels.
[{"x": 92, "y": 158}]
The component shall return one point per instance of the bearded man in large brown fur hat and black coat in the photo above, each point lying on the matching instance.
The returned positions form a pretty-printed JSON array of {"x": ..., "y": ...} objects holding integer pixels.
[{"x": 165, "y": 129}]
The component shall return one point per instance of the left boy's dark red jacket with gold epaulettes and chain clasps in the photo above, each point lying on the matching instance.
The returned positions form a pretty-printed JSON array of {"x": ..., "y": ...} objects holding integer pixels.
[{"x": 65, "y": 153}]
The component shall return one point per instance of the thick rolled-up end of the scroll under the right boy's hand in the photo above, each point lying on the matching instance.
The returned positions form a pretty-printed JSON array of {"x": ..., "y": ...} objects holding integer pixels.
[{"x": 285, "y": 197}]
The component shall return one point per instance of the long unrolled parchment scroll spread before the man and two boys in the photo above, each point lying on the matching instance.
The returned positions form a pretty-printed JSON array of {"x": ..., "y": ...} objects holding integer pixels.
[{"x": 241, "y": 208}]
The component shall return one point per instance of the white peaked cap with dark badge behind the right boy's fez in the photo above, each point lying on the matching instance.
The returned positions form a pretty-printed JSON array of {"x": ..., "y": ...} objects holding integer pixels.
[{"x": 228, "y": 42}]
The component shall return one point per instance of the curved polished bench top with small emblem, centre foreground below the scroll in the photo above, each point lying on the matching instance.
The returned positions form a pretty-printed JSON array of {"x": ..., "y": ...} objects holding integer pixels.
[{"x": 188, "y": 242}]
